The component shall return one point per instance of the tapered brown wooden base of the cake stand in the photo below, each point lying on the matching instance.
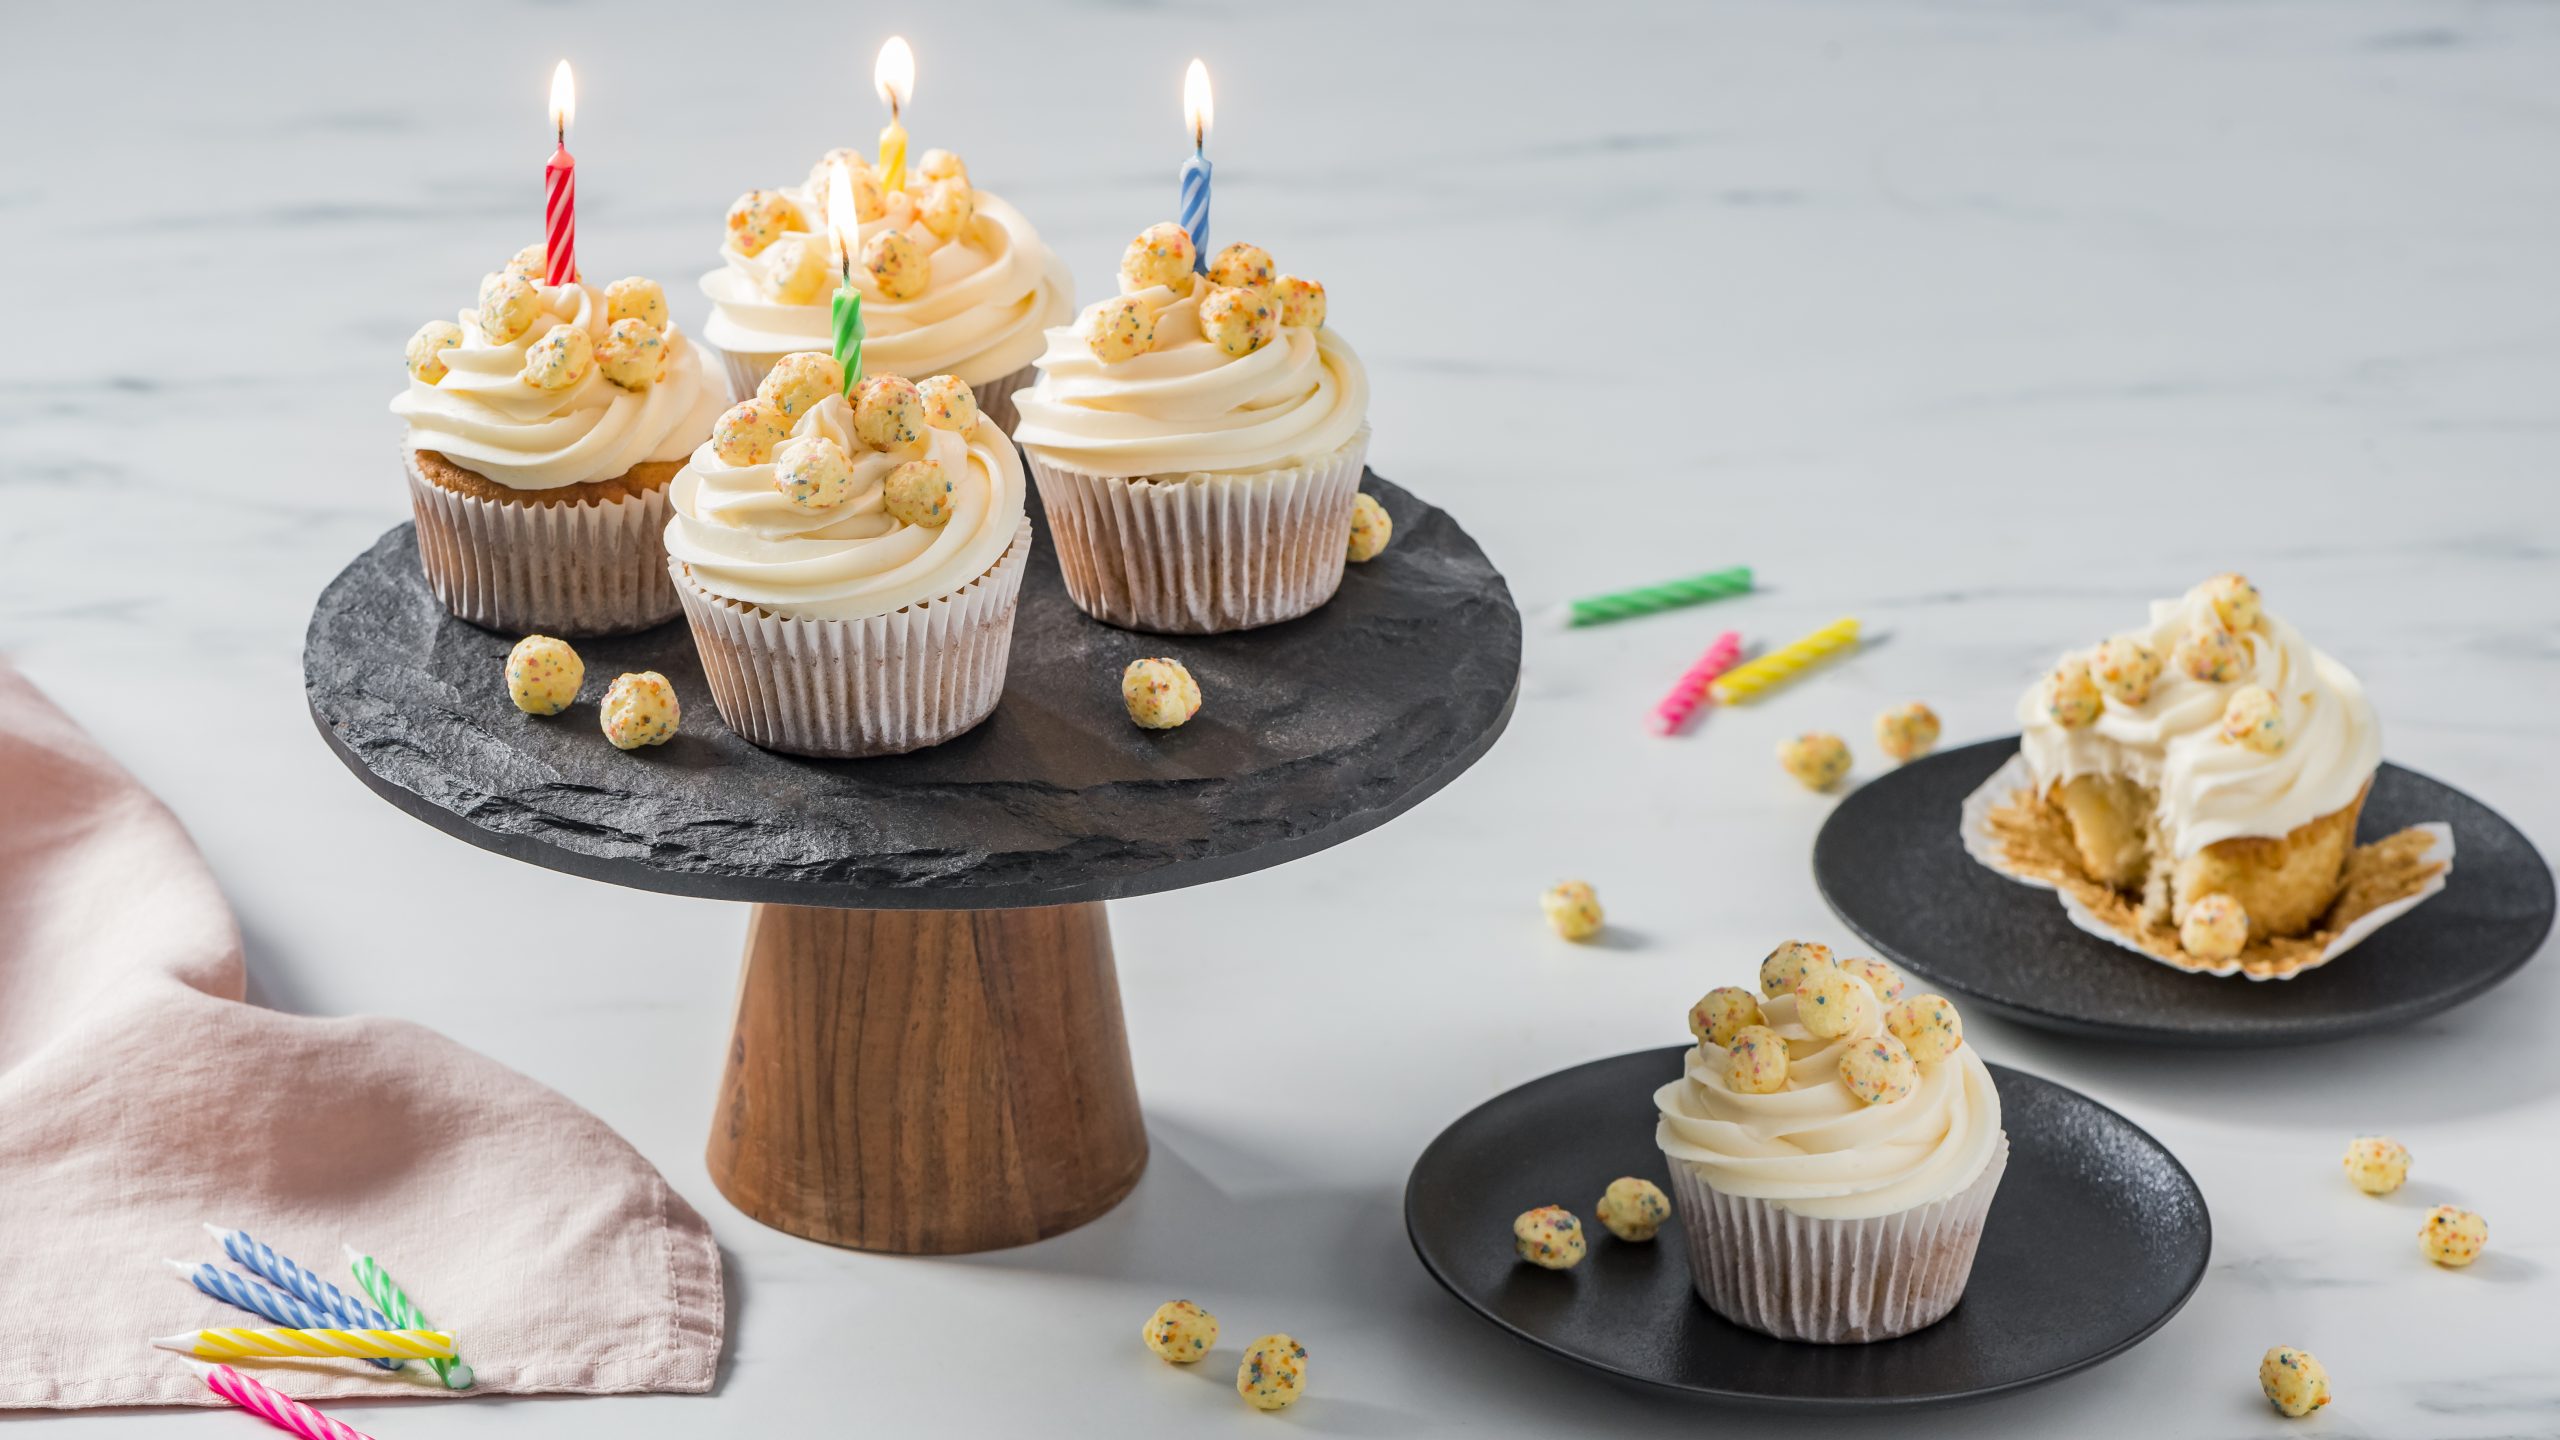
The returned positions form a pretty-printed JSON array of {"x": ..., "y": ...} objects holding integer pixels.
[{"x": 928, "y": 1080}]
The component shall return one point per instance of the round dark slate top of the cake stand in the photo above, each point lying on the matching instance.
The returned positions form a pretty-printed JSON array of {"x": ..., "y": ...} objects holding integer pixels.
[{"x": 1309, "y": 734}]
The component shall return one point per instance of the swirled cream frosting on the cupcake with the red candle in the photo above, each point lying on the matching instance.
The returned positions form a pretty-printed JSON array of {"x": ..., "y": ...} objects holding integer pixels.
[{"x": 513, "y": 434}]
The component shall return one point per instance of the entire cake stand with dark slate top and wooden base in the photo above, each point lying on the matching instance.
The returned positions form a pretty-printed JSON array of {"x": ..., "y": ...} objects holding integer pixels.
[{"x": 928, "y": 1052}]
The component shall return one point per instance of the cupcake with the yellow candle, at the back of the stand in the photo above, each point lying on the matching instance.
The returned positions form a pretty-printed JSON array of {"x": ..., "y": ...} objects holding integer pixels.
[{"x": 954, "y": 281}]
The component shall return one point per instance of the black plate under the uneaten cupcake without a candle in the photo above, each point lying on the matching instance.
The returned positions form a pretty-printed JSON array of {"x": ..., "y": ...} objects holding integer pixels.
[{"x": 2095, "y": 1239}]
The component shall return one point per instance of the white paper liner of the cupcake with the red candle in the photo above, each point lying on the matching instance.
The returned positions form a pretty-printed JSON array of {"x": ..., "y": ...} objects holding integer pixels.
[{"x": 562, "y": 570}]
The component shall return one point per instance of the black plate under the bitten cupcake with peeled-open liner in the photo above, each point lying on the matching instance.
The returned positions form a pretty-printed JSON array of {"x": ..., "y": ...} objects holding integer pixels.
[{"x": 1896, "y": 870}]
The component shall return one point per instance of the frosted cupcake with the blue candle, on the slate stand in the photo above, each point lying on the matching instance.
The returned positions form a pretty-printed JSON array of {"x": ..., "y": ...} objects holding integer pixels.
[{"x": 1199, "y": 442}]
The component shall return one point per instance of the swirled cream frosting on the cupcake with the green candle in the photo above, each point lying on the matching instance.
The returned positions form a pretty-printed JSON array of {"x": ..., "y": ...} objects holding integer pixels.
[{"x": 854, "y": 560}]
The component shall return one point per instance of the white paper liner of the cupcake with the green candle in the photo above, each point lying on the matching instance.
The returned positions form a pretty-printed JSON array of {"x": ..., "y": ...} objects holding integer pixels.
[{"x": 859, "y": 688}]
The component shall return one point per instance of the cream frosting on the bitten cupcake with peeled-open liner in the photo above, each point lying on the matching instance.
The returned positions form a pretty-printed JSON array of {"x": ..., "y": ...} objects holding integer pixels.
[{"x": 2208, "y": 788}]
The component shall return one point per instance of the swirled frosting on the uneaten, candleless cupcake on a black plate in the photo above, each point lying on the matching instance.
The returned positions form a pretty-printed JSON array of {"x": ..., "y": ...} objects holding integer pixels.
[{"x": 1819, "y": 1149}]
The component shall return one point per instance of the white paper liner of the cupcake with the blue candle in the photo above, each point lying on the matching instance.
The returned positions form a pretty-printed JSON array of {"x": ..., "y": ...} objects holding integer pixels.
[{"x": 1202, "y": 555}]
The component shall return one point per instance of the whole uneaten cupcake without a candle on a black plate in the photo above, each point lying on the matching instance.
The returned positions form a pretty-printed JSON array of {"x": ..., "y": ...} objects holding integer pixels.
[{"x": 1834, "y": 1152}]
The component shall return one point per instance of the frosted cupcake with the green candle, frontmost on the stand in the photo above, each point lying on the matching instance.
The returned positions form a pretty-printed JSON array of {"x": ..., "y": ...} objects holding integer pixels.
[{"x": 851, "y": 565}]
